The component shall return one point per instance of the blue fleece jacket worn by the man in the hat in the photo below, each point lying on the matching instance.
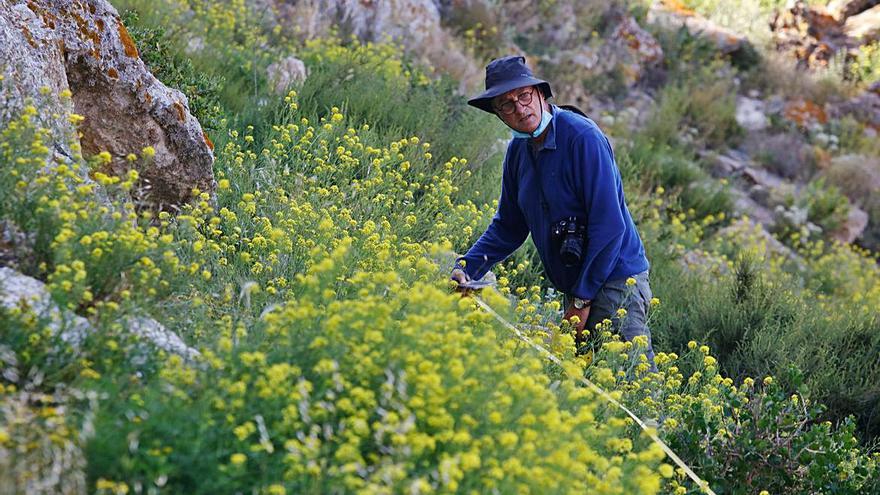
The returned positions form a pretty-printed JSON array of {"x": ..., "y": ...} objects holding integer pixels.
[{"x": 580, "y": 178}]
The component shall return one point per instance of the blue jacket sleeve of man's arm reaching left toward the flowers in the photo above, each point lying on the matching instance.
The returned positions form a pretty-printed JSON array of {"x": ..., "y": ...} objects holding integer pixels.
[{"x": 507, "y": 231}]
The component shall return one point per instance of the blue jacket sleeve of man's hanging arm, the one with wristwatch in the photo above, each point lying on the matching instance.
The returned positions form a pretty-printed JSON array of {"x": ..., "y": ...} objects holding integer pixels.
[{"x": 599, "y": 180}]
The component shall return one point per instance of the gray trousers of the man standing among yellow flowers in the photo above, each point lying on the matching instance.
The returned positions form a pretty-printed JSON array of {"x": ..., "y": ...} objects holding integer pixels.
[{"x": 636, "y": 300}]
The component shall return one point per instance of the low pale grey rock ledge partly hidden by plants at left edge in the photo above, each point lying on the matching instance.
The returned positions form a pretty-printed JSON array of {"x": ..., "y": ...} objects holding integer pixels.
[{"x": 18, "y": 290}]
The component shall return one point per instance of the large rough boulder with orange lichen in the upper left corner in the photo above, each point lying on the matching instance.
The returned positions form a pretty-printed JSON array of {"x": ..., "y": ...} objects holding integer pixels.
[{"x": 82, "y": 46}]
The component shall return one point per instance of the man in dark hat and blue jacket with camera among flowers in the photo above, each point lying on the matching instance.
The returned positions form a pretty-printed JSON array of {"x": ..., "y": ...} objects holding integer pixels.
[{"x": 560, "y": 184}]
